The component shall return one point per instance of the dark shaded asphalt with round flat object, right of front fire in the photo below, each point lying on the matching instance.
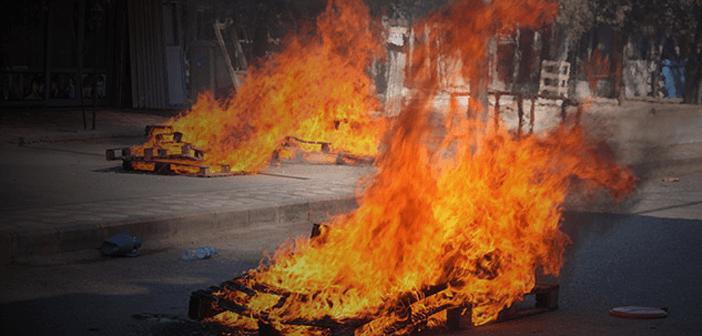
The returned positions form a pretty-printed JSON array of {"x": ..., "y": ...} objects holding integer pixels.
[{"x": 618, "y": 260}]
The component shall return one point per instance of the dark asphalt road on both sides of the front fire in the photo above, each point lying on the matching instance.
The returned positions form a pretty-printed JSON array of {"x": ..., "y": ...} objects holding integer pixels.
[{"x": 614, "y": 260}]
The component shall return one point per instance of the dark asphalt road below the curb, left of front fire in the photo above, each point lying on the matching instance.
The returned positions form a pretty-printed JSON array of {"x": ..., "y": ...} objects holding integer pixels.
[{"x": 99, "y": 296}]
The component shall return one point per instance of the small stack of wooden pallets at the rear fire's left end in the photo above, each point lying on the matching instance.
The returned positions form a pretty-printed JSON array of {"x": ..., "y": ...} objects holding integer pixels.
[{"x": 165, "y": 152}]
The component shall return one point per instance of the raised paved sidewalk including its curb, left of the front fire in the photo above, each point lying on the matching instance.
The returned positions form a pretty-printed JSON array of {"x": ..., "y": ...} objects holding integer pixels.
[{"x": 60, "y": 197}]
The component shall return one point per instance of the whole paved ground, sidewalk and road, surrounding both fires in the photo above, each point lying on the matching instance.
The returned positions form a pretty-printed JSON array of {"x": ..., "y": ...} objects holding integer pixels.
[{"x": 645, "y": 254}]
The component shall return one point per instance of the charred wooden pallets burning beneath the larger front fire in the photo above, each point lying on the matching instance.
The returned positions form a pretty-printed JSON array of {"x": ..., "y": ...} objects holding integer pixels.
[{"x": 408, "y": 314}]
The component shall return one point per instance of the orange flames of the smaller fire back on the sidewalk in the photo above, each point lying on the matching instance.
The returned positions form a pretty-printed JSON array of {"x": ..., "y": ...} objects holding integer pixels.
[{"x": 316, "y": 89}]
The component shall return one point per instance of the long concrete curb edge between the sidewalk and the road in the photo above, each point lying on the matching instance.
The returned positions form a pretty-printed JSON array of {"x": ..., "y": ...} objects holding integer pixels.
[{"x": 17, "y": 244}]
